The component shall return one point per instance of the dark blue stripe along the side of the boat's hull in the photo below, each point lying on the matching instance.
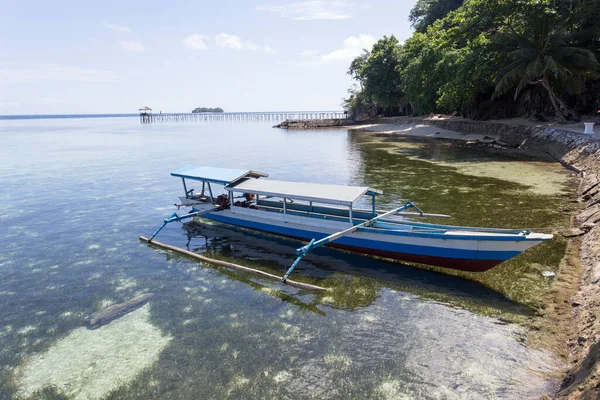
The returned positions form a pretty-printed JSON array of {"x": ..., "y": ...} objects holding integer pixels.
[{"x": 392, "y": 250}]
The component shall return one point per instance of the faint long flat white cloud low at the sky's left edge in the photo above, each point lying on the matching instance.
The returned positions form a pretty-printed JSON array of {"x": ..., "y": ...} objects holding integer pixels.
[{"x": 28, "y": 73}]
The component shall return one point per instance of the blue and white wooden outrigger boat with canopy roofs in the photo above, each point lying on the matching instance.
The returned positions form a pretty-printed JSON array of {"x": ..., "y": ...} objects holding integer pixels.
[{"x": 324, "y": 215}]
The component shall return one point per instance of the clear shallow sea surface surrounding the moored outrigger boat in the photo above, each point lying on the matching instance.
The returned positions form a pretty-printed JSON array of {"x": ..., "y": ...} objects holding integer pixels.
[{"x": 75, "y": 195}]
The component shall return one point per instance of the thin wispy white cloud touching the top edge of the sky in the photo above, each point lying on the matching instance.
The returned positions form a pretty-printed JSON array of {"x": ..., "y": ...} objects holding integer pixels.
[{"x": 312, "y": 9}]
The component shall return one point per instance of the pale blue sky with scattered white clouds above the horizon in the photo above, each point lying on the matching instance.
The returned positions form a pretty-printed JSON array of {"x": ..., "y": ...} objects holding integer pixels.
[{"x": 74, "y": 57}]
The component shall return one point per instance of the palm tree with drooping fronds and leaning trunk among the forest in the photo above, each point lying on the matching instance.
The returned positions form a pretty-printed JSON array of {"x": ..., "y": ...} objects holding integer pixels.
[{"x": 544, "y": 58}]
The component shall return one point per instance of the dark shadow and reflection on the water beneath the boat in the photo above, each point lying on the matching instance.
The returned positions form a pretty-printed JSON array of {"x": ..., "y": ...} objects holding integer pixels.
[{"x": 355, "y": 280}]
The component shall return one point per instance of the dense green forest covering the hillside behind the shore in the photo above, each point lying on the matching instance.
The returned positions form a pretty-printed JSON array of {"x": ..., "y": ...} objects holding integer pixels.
[{"x": 485, "y": 59}]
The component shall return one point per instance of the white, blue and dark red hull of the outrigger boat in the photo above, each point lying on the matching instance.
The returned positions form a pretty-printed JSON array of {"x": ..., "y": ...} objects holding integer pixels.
[{"x": 466, "y": 252}]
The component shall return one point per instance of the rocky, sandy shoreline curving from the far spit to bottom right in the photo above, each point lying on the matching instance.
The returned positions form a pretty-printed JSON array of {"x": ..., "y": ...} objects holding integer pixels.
[{"x": 576, "y": 151}]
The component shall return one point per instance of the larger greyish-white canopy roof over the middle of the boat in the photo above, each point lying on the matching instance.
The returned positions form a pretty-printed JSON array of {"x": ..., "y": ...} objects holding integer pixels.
[{"x": 317, "y": 192}]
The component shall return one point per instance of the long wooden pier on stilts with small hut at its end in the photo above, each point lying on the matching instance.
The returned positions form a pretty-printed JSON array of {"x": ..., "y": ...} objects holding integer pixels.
[{"x": 146, "y": 116}]
